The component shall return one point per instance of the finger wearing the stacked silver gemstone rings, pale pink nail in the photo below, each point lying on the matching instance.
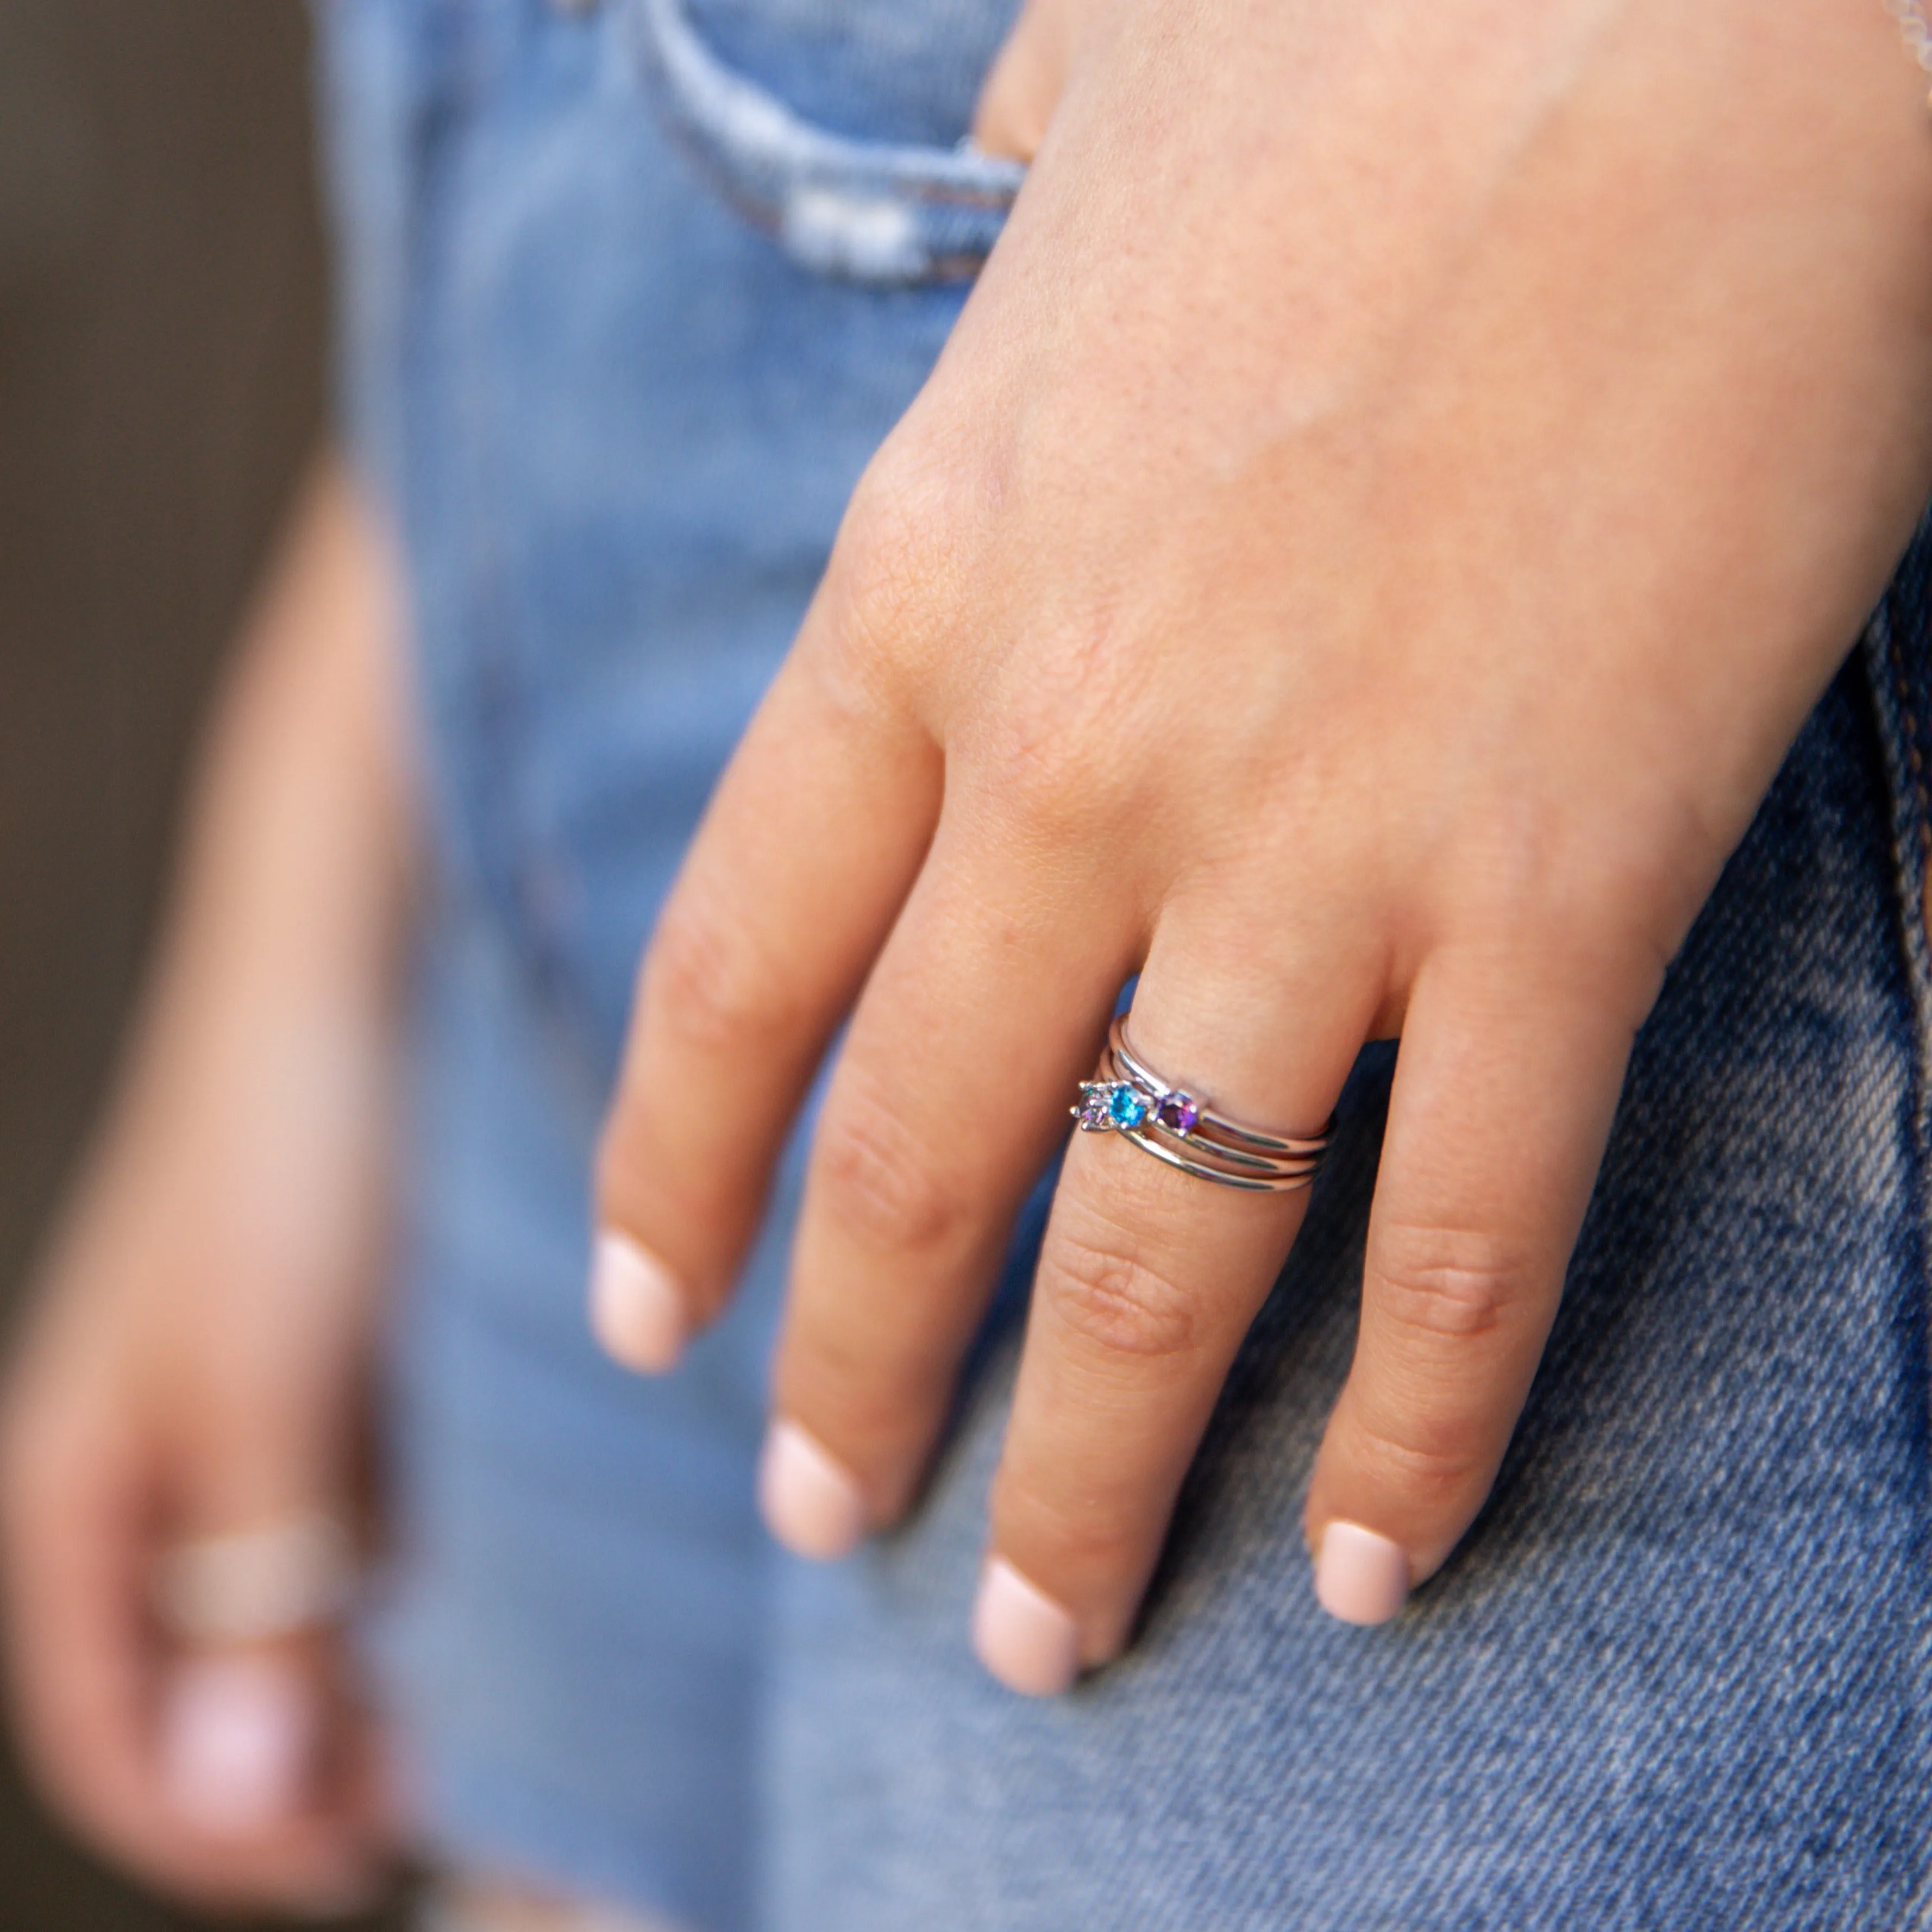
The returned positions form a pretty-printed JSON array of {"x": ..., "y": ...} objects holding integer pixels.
[{"x": 1149, "y": 1282}]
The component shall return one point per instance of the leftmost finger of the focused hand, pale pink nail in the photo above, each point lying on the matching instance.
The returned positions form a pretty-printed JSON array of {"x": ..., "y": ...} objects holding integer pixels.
[{"x": 787, "y": 895}]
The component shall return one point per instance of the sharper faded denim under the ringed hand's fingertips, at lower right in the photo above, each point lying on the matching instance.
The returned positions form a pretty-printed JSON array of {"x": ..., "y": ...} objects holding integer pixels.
[{"x": 1676, "y": 1678}]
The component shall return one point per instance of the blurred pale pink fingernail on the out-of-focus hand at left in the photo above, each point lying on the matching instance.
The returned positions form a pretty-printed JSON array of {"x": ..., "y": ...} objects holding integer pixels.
[{"x": 237, "y": 1738}]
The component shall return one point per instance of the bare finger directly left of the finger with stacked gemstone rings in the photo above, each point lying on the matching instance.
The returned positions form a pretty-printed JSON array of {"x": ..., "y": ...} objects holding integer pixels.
[{"x": 950, "y": 1098}]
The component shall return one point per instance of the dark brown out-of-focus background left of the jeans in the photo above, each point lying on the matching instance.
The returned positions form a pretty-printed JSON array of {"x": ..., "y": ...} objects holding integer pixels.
[{"x": 161, "y": 382}]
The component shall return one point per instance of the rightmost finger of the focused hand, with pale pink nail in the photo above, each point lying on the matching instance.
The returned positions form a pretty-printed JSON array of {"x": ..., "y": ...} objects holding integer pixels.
[{"x": 1504, "y": 1098}]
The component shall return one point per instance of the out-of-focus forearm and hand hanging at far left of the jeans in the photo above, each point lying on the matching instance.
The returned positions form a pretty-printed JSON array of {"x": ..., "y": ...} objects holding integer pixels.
[{"x": 194, "y": 1367}]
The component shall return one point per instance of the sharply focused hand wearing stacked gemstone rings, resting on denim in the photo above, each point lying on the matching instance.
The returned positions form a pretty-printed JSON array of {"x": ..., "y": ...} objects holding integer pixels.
[{"x": 1386, "y": 511}]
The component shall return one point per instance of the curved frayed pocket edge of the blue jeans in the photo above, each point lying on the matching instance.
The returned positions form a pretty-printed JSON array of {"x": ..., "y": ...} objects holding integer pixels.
[{"x": 868, "y": 212}]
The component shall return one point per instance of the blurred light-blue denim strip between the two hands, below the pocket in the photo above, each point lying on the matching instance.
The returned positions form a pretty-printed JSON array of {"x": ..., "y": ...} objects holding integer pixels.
[{"x": 615, "y": 424}]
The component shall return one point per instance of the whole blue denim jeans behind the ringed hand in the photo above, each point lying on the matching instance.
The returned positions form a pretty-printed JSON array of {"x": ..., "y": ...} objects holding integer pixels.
[{"x": 631, "y": 295}]
